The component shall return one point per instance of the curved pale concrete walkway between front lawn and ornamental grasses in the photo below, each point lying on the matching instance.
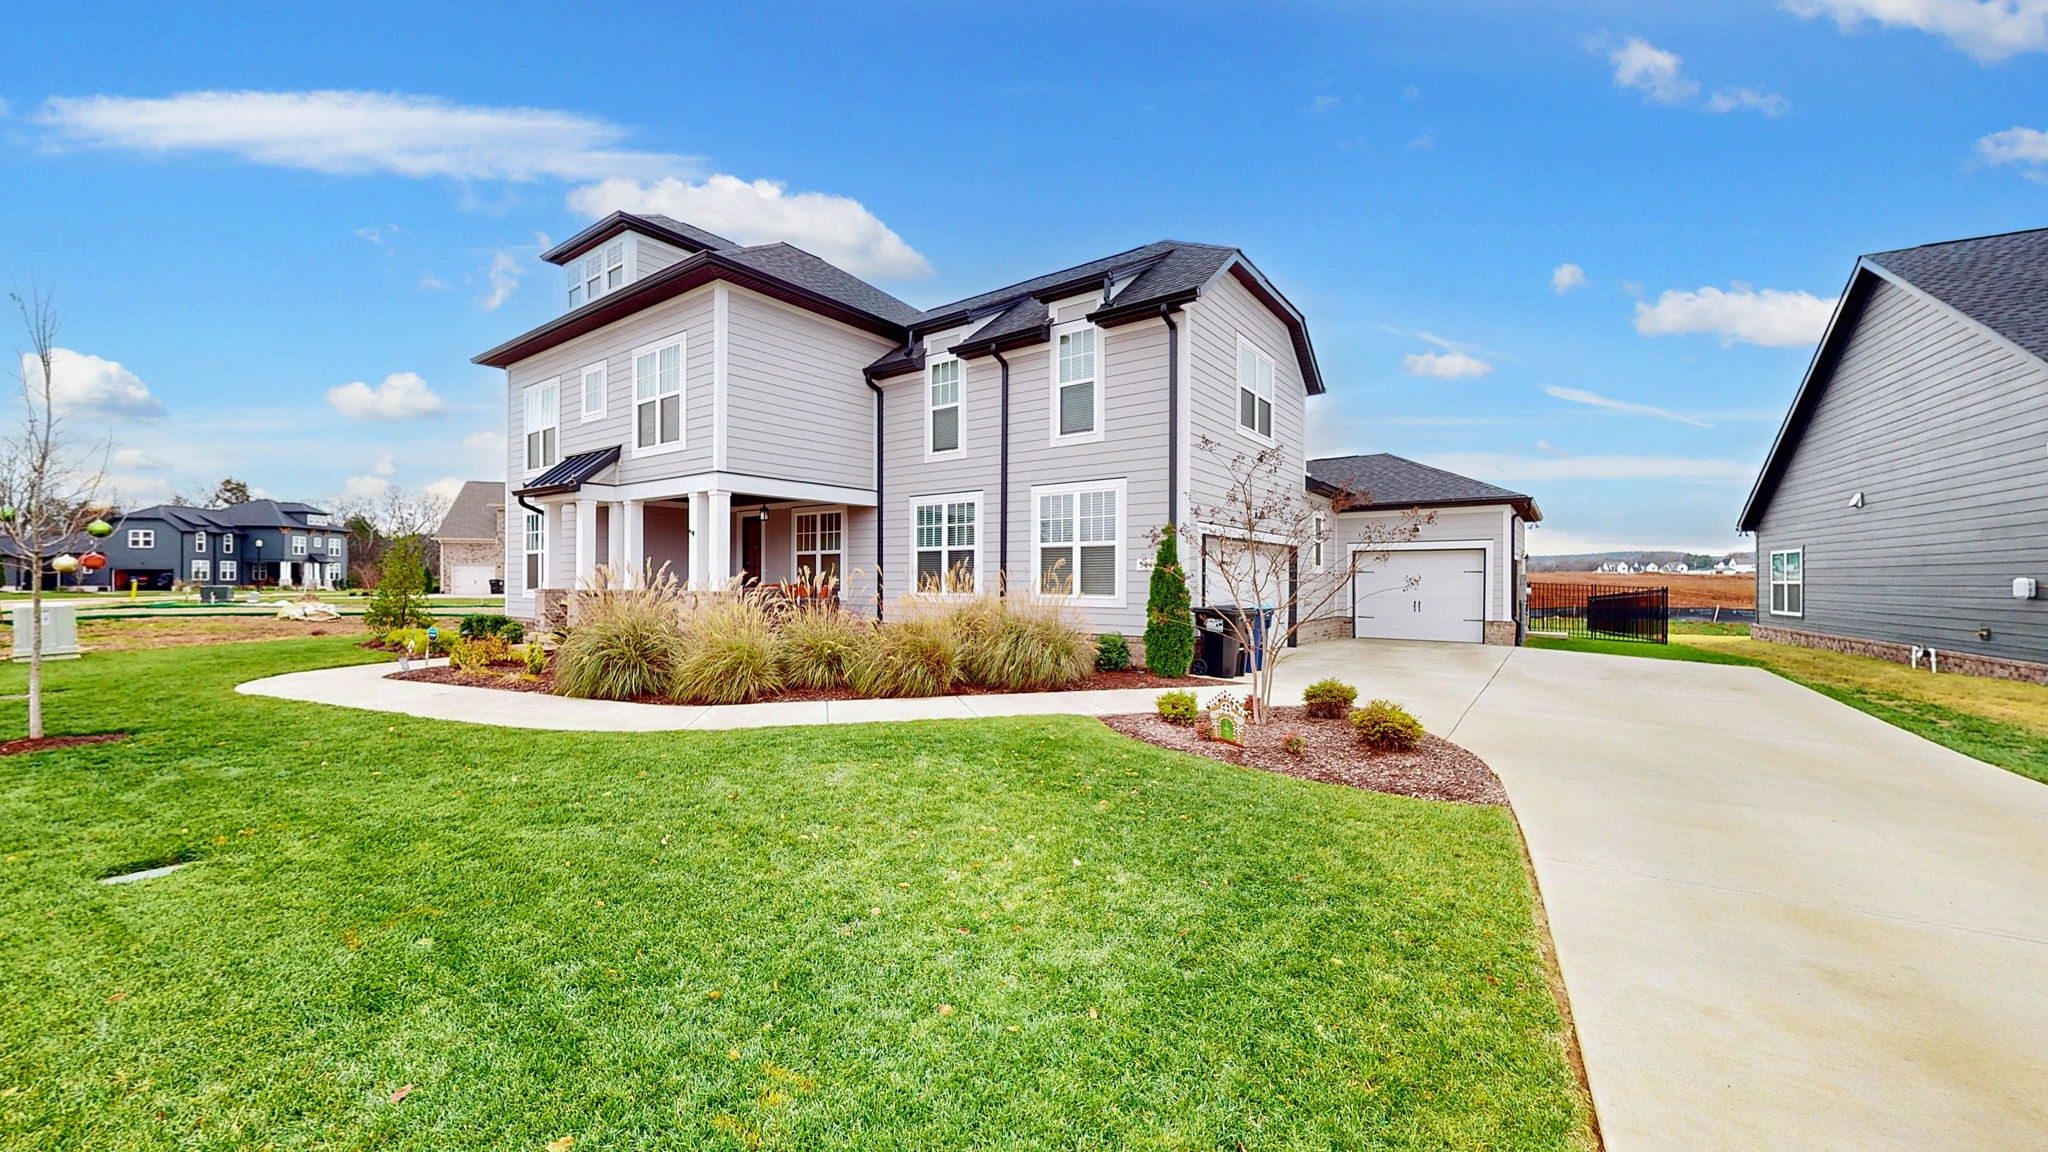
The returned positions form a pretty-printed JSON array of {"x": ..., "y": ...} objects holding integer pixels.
[{"x": 370, "y": 688}]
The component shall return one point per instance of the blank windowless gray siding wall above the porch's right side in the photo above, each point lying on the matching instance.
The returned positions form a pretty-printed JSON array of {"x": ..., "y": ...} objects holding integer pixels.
[{"x": 798, "y": 405}]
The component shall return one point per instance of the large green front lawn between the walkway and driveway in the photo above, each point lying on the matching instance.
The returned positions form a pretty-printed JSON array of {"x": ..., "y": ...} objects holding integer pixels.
[{"x": 937, "y": 936}]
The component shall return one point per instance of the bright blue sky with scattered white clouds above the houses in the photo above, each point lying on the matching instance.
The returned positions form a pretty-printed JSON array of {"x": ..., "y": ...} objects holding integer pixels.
[{"x": 280, "y": 239}]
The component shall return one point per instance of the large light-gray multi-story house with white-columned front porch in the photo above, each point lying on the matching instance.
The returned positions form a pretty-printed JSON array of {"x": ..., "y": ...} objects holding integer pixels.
[{"x": 757, "y": 413}]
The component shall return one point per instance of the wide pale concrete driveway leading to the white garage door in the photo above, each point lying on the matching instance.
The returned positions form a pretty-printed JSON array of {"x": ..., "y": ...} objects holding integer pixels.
[{"x": 1783, "y": 923}]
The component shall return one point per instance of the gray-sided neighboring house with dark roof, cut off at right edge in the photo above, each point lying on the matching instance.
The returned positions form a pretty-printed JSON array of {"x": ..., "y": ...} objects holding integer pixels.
[{"x": 1902, "y": 505}]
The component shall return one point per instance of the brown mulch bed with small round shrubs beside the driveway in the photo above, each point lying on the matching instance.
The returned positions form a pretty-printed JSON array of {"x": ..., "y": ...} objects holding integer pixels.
[{"x": 1435, "y": 770}]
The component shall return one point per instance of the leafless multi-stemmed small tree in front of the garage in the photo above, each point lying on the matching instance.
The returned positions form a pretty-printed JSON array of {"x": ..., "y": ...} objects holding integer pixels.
[{"x": 1258, "y": 536}]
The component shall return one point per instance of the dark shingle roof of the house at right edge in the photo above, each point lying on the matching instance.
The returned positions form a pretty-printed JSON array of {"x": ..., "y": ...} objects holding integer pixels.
[{"x": 2002, "y": 282}]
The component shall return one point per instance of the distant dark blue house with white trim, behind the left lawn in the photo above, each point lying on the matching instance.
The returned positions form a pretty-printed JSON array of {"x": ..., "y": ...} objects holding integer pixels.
[{"x": 253, "y": 544}]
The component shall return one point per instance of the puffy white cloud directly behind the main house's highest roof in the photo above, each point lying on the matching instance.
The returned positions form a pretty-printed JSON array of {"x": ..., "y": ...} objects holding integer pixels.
[{"x": 761, "y": 212}]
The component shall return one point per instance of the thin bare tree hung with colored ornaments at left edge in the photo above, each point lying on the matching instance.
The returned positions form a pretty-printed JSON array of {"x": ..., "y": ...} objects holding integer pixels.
[{"x": 48, "y": 481}]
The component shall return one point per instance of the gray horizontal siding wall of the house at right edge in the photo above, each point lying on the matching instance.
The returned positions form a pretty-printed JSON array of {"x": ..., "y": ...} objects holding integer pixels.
[{"x": 1945, "y": 431}]
